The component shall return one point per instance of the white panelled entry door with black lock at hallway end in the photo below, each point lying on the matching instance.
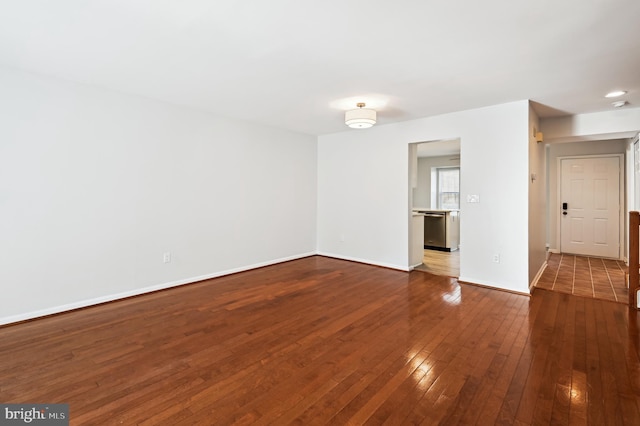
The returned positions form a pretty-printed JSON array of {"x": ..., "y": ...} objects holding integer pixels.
[{"x": 590, "y": 206}]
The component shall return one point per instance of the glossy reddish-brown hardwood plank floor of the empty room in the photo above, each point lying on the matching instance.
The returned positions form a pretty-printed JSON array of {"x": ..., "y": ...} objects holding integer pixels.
[{"x": 323, "y": 341}]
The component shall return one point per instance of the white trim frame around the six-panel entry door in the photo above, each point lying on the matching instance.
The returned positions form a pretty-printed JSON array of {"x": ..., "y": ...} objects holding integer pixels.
[{"x": 621, "y": 197}]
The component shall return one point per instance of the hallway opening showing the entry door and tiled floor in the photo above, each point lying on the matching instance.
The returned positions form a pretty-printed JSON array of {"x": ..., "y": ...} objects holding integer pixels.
[{"x": 590, "y": 186}]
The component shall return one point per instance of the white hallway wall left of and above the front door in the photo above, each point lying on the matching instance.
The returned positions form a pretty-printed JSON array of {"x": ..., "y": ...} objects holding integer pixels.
[{"x": 557, "y": 150}]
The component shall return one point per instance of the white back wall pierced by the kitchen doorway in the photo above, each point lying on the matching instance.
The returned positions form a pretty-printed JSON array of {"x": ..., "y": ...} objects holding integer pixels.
[{"x": 363, "y": 197}]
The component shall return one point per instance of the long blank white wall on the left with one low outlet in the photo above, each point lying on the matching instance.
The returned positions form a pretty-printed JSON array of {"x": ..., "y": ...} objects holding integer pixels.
[{"x": 95, "y": 186}]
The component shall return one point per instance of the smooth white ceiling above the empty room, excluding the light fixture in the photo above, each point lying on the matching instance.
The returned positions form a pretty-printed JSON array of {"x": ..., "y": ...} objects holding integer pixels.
[{"x": 299, "y": 64}]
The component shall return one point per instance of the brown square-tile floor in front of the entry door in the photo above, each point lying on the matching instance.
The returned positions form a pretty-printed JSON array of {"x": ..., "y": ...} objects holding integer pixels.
[{"x": 586, "y": 276}]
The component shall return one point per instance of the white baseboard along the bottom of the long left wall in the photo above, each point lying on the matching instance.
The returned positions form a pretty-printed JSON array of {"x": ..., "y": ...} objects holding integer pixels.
[{"x": 140, "y": 291}]
